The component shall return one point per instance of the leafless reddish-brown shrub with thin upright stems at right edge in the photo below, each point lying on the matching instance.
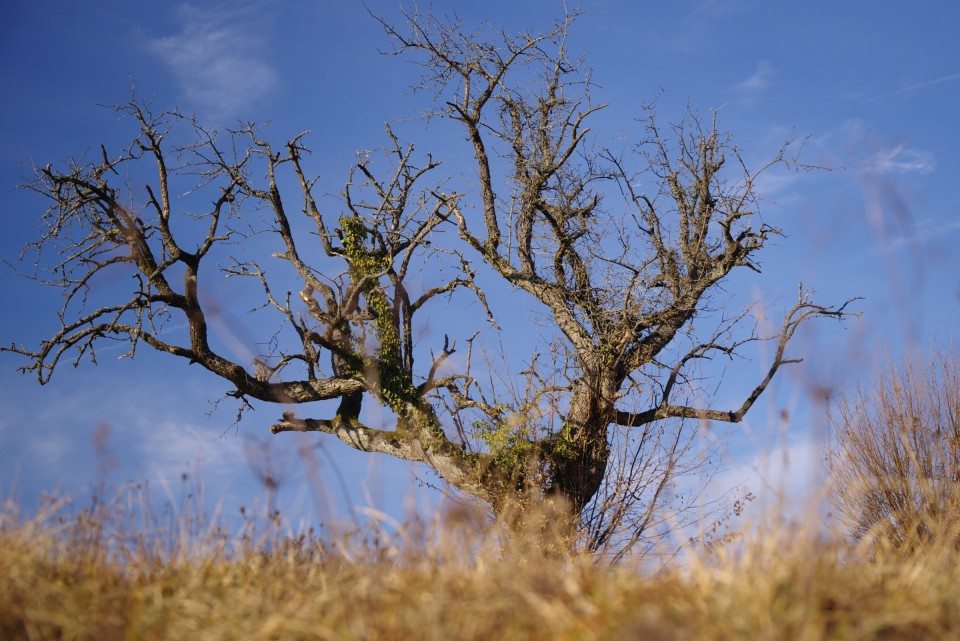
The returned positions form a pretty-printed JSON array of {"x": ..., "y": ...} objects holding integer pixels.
[{"x": 896, "y": 458}]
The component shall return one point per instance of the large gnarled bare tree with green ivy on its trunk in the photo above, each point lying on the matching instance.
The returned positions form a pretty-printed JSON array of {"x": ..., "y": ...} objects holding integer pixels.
[{"x": 621, "y": 273}]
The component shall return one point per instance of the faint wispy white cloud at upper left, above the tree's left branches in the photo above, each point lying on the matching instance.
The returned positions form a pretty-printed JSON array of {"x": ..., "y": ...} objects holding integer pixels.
[{"x": 216, "y": 57}]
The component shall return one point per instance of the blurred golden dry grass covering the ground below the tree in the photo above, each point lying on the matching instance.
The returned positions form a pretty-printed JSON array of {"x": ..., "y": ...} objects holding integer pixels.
[{"x": 95, "y": 576}]
